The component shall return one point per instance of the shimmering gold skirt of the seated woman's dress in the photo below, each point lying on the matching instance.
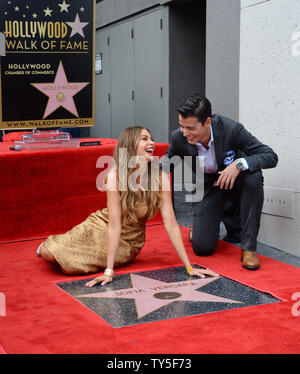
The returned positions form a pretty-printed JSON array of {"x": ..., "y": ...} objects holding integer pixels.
[{"x": 83, "y": 249}]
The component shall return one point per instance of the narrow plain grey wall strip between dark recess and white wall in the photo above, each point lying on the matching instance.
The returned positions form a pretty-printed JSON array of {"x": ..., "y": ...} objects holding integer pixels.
[{"x": 222, "y": 56}]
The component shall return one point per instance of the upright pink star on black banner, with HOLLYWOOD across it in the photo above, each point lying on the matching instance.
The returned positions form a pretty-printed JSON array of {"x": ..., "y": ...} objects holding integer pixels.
[{"x": 60, "y": 92}]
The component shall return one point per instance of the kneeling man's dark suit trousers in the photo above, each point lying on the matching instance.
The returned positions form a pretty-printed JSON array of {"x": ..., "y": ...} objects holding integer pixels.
[{"x": 209, "y": 212}]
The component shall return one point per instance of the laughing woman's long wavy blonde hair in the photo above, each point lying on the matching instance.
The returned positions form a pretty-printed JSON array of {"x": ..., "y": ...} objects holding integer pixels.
[{"x": 129, "y": 139}]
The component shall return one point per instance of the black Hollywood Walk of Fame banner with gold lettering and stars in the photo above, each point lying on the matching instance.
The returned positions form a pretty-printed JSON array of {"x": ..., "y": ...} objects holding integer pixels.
[{"x": 47, "y": 63}]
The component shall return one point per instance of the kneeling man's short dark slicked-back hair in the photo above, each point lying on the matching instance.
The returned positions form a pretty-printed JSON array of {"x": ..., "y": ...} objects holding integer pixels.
[{"x": 196, "y": 106}]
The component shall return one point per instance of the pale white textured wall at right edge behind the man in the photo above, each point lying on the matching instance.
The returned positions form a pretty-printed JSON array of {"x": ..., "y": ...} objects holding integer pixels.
[{"x": 269, "y": 108}]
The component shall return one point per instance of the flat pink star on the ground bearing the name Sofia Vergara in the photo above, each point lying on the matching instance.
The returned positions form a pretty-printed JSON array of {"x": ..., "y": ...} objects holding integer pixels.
[{"x": 151, "y": 294}]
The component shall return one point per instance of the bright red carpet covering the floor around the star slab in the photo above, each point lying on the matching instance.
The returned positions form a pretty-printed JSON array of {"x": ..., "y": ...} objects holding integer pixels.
[{"x": 41, "y": 318}]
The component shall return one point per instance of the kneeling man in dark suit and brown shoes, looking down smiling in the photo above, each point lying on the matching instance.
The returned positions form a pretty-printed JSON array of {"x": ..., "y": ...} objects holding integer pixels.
[{"x": 233, "y": 159}]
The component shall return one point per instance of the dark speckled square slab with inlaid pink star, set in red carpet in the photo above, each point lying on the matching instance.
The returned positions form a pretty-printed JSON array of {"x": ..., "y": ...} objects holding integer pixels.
[{"x": 162, "y": 294}]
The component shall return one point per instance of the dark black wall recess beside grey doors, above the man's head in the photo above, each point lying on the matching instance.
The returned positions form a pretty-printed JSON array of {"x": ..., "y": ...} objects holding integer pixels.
[{"x": 187, "y": 33}]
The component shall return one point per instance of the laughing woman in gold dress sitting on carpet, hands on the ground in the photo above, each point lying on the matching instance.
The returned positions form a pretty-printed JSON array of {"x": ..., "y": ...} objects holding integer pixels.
[{"x": 136, "y": 190}]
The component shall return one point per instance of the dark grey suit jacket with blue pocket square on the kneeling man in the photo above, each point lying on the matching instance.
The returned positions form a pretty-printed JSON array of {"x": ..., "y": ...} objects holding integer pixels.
[{"x": 228, "y": 135}]
